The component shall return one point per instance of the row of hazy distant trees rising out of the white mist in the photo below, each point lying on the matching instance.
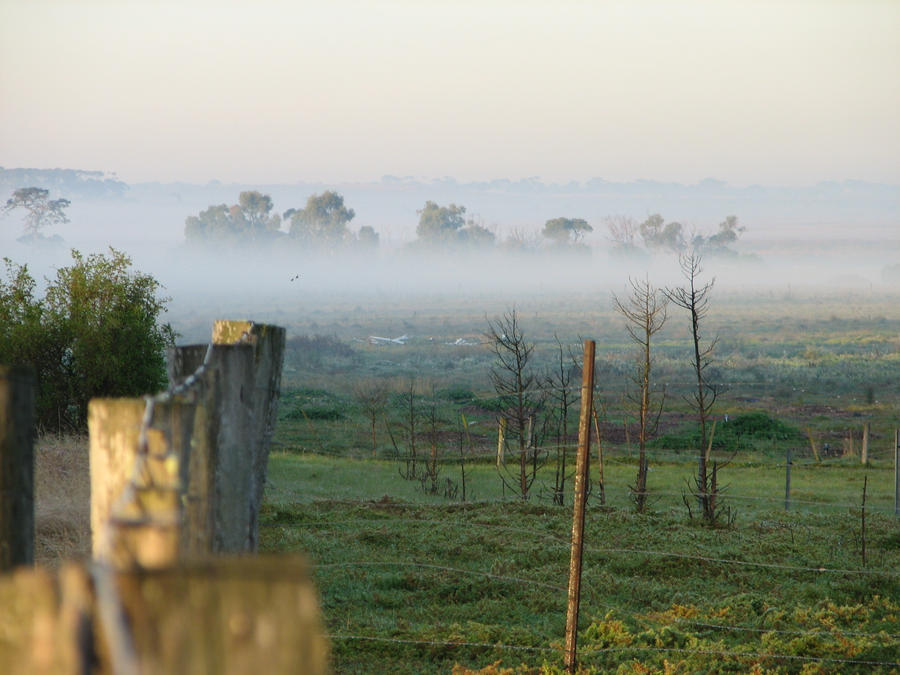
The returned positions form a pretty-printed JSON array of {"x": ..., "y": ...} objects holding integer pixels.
[{"x": 323, "y": 224}]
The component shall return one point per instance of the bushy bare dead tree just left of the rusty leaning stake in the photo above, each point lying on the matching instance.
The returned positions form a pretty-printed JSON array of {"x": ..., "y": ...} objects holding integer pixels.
[{"x": 517, "y": 388}]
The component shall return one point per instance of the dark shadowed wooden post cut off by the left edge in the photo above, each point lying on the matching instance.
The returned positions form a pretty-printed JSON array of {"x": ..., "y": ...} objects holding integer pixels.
[{"x": 16, "y": 466}]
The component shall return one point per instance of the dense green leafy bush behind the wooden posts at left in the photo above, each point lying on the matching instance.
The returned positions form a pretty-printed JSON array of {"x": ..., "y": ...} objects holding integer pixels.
[{"x": 96, "y": 332}]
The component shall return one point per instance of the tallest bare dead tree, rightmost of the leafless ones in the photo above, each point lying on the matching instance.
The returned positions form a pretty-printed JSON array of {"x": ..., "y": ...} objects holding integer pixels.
[{"x": 694, "y": 297}]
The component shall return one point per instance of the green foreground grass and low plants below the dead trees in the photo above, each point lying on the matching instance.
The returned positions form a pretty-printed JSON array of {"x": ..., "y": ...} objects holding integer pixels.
[{"x": 411, "y": 569}]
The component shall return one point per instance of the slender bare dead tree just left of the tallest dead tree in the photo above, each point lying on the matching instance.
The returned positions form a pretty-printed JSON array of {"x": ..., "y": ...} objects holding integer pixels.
[{"x": 645, "y": 314}]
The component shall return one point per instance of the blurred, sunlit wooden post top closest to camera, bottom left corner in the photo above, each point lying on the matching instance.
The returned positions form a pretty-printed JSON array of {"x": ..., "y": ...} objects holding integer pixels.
[{"x": 224, "y": 615}]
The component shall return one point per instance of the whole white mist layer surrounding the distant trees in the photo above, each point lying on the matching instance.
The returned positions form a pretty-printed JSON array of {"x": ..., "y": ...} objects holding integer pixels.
[{"x": 817, "y": 240}]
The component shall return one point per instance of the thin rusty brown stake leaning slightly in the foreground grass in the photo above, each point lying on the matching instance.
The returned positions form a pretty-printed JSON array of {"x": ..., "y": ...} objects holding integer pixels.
[{"x": 581, "y": 468}]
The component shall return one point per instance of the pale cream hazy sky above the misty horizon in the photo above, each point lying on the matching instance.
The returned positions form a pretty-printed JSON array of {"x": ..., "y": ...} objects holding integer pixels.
[{"x": 272, "y": 92}]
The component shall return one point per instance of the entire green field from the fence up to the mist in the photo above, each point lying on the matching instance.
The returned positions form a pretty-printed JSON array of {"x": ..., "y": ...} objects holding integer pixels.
[{"x": 414, "y": 579}]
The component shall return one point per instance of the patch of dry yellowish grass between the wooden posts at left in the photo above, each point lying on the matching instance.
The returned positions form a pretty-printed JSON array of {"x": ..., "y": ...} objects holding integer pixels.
[{"x": 62, "y": 500}]
